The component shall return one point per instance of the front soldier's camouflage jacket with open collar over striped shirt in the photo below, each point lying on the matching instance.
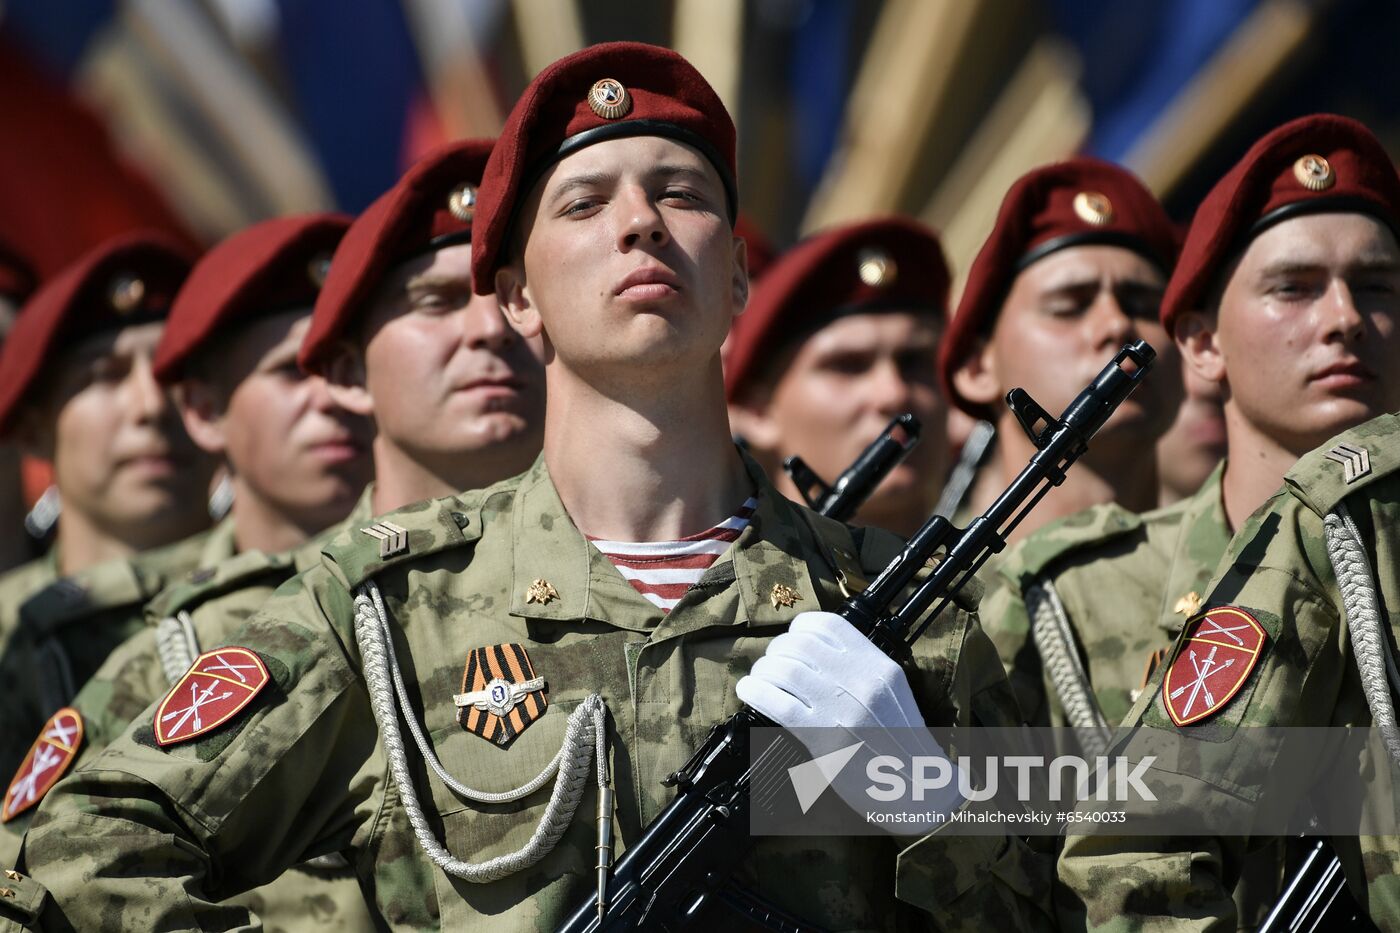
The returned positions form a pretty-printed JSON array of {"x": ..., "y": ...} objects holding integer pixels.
[{"x": 304, "y": 771}]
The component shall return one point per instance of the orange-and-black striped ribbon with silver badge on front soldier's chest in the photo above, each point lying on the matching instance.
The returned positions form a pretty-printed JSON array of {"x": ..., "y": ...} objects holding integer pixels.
[{"x": 500, "y": 694}]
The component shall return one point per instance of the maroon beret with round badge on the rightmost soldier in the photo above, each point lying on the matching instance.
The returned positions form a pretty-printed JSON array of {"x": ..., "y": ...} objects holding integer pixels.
[{"x": 1314, "y": 165}]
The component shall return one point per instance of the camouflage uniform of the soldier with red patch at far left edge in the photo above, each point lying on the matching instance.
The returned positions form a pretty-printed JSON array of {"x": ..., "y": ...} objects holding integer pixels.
[{"x": 215, "y": 602}]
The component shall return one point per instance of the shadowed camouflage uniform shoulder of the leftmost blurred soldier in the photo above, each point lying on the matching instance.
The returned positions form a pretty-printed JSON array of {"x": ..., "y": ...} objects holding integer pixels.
[{"x": 69, "y": 628}]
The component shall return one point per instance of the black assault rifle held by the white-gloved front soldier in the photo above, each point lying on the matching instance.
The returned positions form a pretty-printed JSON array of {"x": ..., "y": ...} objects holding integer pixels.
[{"x": 678, "y": 875}]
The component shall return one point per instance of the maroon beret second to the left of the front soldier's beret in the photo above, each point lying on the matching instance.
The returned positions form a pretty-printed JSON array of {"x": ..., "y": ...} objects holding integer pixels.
[{"x": 271, "y": 267}]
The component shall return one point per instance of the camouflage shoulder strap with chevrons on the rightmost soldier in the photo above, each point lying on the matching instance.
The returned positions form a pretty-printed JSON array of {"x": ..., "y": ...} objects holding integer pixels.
[{"x": 1346, "y": 464}]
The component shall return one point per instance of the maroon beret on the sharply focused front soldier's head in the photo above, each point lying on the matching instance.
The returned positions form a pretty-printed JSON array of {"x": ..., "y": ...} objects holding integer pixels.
[{"x": 605, "y": 92}]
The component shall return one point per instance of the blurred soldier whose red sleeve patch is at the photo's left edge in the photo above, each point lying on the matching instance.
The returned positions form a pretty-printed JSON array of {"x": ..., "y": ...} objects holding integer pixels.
[{"x": 297, "y": 464}]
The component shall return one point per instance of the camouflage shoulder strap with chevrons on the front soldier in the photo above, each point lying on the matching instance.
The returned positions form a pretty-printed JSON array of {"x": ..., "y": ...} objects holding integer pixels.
[{"x": 366, "y": 550}]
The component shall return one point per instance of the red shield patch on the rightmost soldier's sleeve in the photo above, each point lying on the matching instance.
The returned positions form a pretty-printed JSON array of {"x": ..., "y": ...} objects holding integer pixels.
[{"x": 1220, "y": 652}]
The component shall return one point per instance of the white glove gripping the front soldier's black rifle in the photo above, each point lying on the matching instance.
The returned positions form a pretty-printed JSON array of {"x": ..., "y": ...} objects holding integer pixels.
[{"x": 827, "y": 680}]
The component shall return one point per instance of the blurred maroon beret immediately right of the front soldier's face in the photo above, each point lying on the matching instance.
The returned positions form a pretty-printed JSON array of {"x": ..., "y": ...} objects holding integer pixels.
[{"x": 892, "y": 264}]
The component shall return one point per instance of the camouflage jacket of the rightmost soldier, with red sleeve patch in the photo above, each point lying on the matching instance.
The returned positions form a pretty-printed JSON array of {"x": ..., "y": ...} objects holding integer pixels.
[{"x": 1305, "y": 675}]
